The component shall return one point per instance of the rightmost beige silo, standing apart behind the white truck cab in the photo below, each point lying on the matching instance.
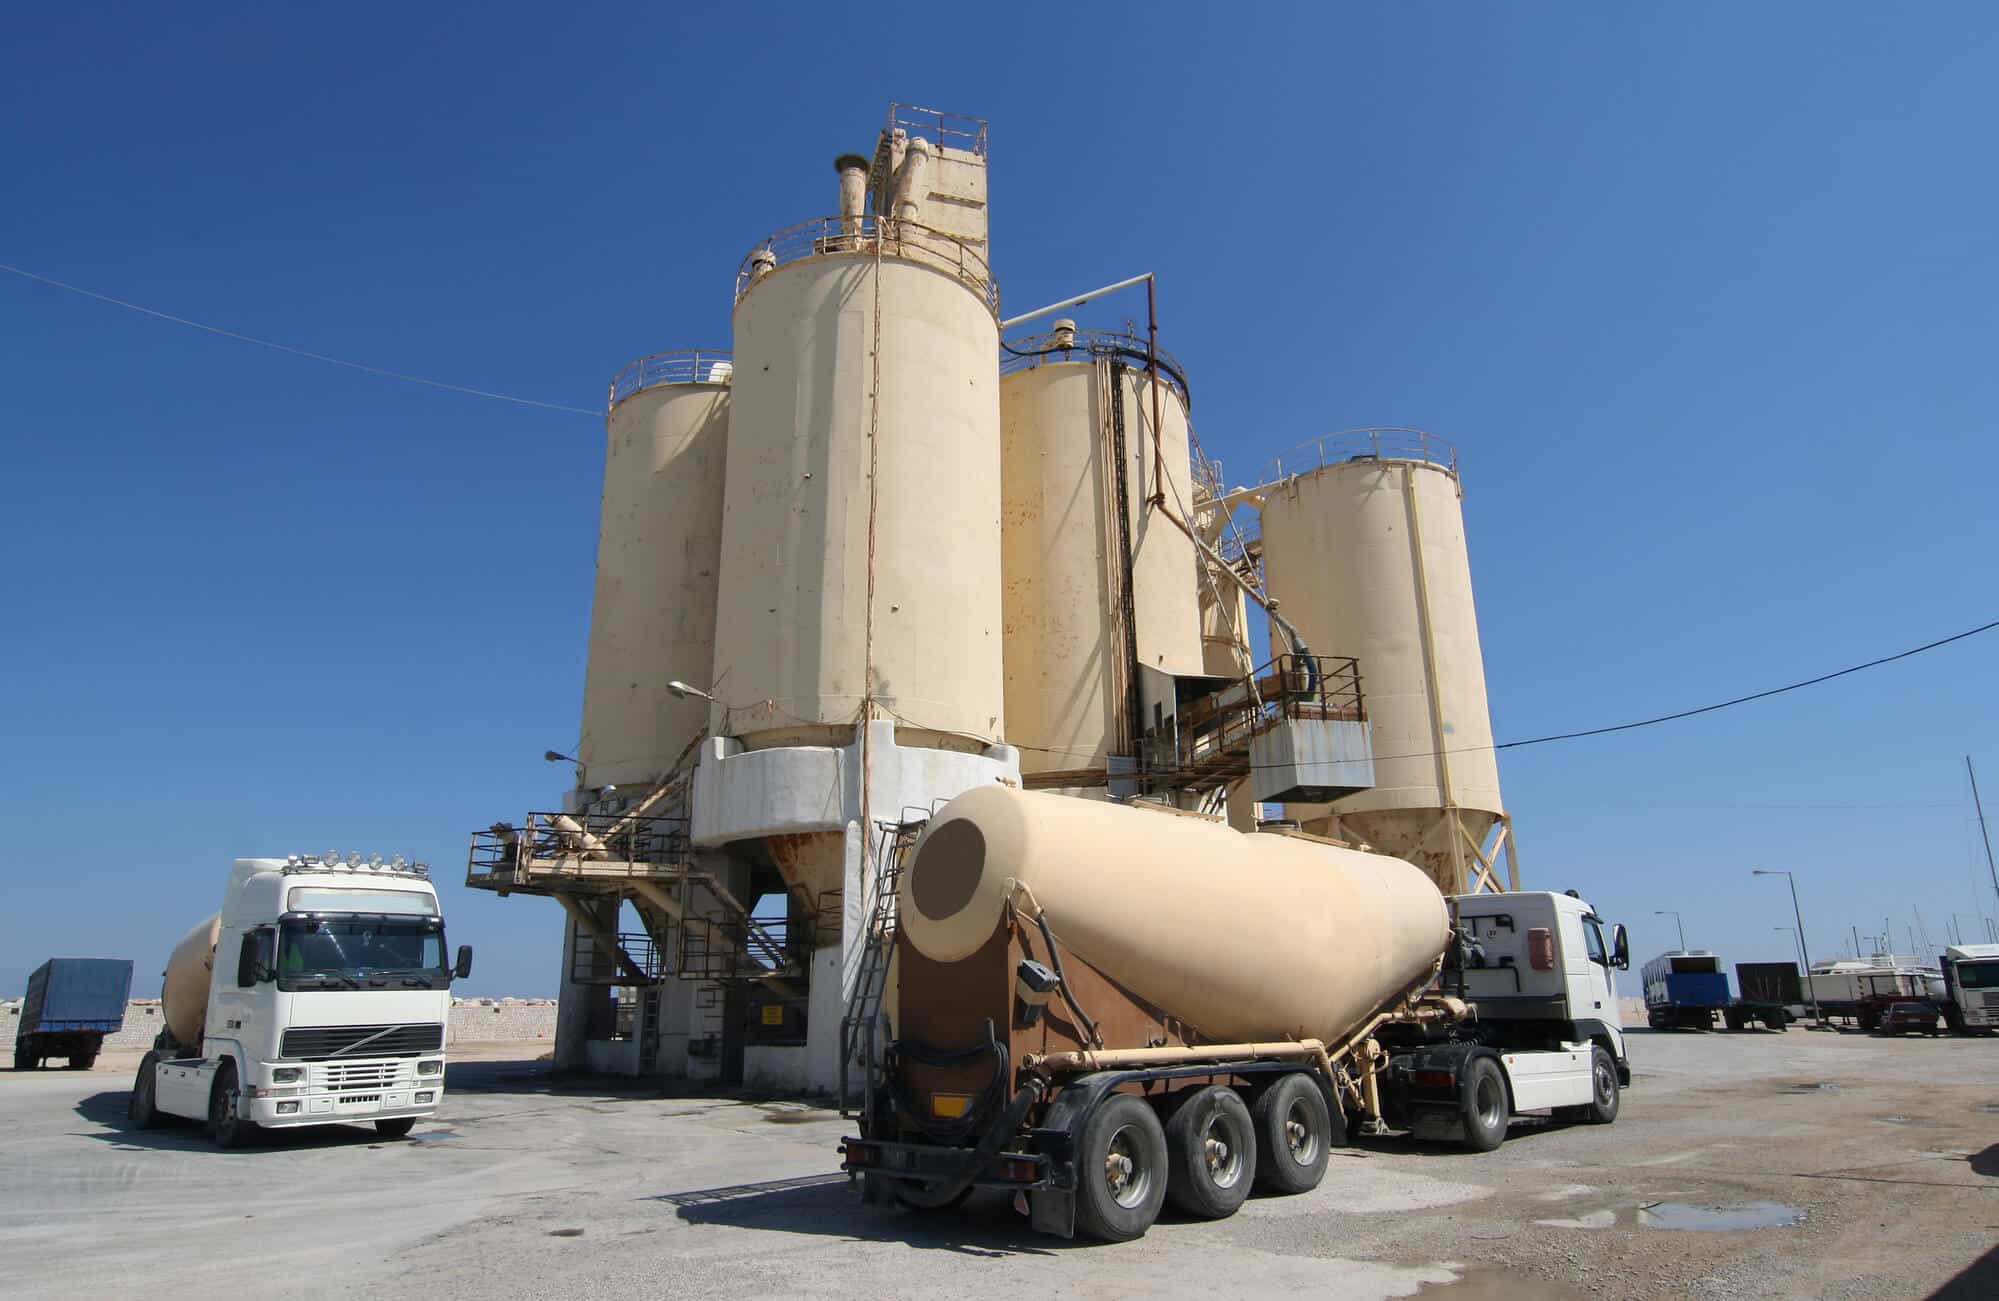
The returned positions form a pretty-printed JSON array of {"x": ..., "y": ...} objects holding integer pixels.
[{"x": 1364, "y": 545}]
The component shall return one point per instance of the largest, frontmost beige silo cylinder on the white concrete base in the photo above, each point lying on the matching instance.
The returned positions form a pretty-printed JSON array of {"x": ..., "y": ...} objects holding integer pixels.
[{"x": 863, "y": 527}]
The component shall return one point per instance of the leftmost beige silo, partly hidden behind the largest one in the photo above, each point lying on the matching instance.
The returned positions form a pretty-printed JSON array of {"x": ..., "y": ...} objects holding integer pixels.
[{"x": 659, "y": 559}]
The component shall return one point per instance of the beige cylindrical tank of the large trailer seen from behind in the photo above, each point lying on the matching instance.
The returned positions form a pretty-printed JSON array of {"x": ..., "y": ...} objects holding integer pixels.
[{"x": 1242, "y": 938}]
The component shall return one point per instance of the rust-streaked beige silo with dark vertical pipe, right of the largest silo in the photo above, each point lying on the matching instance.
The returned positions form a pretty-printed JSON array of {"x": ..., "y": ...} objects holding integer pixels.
[{"x": 1098, "y": 581}]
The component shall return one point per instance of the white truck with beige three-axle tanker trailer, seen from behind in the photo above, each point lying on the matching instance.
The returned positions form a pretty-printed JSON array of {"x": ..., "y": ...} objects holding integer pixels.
[{"x": 1102, "y": 1008}]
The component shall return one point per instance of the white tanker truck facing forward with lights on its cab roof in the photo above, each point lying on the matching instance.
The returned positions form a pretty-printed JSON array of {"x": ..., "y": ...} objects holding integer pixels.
[{"x": 317, "y": 996}]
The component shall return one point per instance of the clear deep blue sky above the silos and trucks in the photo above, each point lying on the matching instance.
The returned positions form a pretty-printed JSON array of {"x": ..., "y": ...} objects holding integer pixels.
[{"x": 1706, "y": 297}]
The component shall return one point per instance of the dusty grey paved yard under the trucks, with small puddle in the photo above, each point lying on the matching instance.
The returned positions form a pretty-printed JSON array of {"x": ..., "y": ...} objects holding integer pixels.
[{"x": 1886, "y": 1148}]
